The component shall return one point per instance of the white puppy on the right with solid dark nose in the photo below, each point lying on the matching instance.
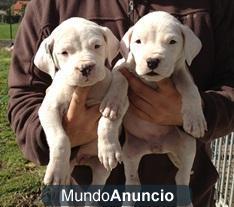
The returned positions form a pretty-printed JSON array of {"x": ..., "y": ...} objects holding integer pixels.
[{"x": 158, "y": 46}]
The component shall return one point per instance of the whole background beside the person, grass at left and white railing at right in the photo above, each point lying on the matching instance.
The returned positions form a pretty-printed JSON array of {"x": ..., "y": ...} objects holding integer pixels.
[{"x": 21, "y": 180}]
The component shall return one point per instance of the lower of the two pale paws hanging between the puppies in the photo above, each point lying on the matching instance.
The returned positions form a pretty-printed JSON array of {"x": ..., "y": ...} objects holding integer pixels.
[{"x": 109, "y": 153}]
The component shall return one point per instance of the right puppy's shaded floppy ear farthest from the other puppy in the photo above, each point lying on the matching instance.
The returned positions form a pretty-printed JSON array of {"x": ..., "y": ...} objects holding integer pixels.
[{"x": 192, "y": 44}]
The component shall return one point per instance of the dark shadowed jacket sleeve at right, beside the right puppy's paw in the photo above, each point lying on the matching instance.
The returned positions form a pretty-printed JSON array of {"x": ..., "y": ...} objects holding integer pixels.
[{"x": 219, "y": 111}]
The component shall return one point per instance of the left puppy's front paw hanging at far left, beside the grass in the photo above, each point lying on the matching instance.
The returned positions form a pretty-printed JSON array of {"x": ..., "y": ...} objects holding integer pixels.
[{"x": 57, "y": 173}]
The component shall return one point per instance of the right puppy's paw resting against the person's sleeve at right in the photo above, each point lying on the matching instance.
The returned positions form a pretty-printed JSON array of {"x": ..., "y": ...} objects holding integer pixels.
[{"x": 194, "y": 123}]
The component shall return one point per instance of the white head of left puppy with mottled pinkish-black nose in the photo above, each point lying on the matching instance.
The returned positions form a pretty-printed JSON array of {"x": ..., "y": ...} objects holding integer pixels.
[{"x": 79, "y": 49}]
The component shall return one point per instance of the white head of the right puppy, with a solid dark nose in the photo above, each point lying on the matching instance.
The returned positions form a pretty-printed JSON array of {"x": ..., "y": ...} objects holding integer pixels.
[{"x": 158, "y": 43}]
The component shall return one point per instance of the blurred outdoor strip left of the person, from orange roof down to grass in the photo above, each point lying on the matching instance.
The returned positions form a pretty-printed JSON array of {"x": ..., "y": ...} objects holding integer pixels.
[{"x": 20, "y": 180}]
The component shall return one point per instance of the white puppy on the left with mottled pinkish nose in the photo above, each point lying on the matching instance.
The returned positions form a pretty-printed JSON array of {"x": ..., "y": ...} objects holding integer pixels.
[{"x": 75, "y": 55}]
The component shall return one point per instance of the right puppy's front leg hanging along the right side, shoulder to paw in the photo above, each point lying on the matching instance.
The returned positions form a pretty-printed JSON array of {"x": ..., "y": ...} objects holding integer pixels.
[{"x": 193, "y": 118}]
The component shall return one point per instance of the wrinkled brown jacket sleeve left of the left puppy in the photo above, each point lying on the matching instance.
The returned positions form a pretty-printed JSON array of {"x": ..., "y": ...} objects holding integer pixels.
[{"x": 27, "y": 86}]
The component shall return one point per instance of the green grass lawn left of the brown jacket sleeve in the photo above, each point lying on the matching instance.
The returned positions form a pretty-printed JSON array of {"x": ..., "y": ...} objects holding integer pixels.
[{"x": 20, "y": 180}]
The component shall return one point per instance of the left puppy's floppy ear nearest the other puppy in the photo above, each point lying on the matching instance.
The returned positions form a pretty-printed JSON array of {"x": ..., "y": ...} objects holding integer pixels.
[{"x": 112, "y": 48}]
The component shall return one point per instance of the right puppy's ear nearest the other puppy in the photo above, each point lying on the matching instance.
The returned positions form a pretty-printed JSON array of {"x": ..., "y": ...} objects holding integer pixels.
[{"x": 125, "y": 43}]
